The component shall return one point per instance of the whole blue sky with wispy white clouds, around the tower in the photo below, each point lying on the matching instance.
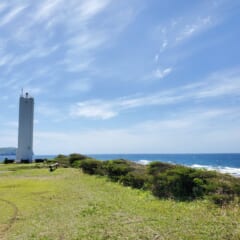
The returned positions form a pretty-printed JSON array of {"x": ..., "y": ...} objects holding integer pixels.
[{"x": 129, "y": 76}]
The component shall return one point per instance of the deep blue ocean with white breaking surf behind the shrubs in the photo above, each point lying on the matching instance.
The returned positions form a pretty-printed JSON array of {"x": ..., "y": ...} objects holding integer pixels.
[{"x": 225, "y": 163}]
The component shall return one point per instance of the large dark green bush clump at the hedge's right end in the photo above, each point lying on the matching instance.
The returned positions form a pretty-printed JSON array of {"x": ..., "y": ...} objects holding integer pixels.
[{"x": 183, "y": 183}]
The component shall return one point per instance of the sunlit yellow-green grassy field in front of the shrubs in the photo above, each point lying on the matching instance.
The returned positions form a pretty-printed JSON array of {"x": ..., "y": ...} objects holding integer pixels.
[{"x": 67, "y": 204}]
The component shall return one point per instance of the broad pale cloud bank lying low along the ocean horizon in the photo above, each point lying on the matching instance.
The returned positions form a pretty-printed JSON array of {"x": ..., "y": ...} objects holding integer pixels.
[{"x": 187, "y": 132}]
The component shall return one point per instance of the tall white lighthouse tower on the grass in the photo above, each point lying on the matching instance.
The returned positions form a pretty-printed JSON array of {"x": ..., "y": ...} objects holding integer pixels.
[{"x": 25, "y": 129}]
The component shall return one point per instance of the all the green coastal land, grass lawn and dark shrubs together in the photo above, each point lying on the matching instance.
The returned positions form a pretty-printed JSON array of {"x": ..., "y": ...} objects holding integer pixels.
[{"x": 118, "y": 199}]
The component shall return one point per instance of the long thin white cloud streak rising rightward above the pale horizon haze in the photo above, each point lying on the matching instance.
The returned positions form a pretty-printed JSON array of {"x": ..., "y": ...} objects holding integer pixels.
[{"x": 212, "y": 87}]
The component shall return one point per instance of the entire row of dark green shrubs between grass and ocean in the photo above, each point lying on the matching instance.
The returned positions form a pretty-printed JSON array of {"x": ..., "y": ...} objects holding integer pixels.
[{"x": 162, "y": 179}]
